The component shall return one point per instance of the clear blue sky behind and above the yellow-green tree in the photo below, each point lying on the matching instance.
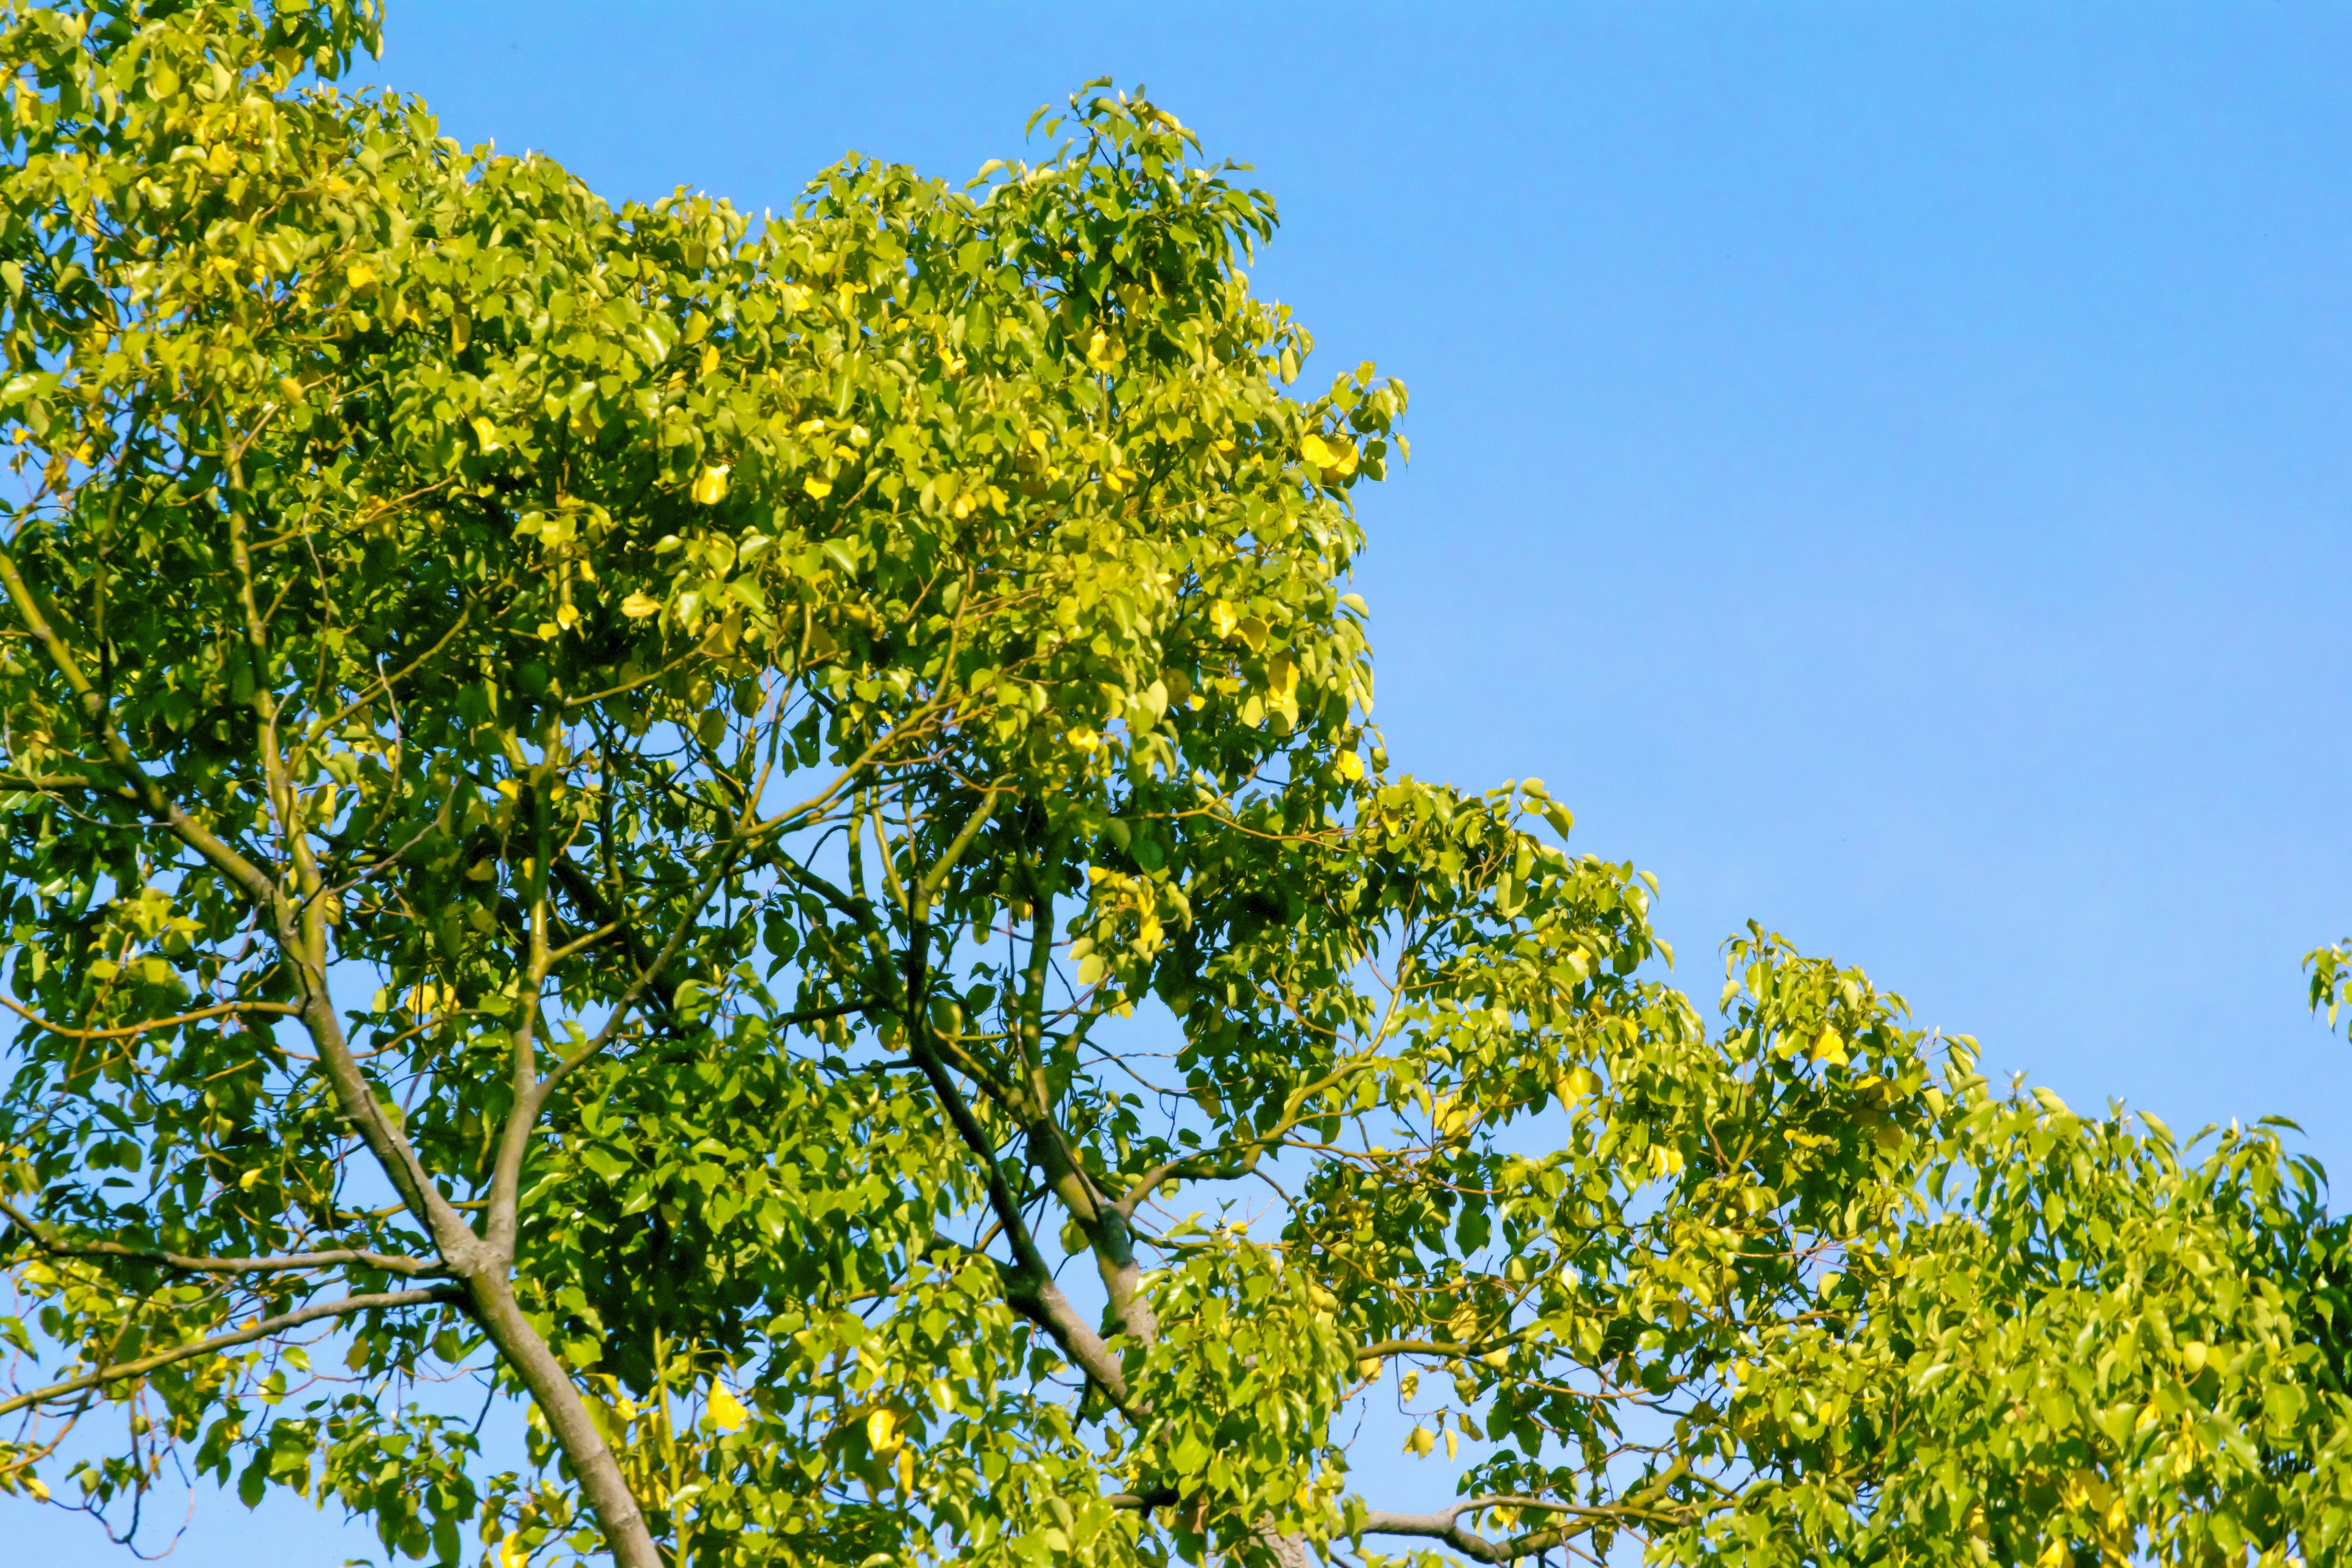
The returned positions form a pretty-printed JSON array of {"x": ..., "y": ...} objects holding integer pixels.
[{"x": 1887, "y": 469}]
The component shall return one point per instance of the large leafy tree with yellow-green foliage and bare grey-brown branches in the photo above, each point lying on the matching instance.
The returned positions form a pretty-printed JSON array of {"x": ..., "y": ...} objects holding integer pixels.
[{"x": 716, "y": 829}]
